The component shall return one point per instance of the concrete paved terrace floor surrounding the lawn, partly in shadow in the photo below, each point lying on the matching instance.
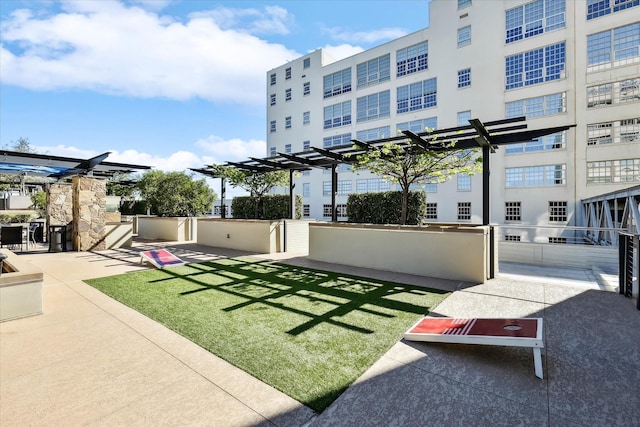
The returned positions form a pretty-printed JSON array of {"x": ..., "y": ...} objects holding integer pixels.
[{"x": 89, "y": 360}]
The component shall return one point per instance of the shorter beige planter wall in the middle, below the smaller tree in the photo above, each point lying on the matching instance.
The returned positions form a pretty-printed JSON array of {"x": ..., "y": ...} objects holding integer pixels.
[{"x": 259, "y": 236}]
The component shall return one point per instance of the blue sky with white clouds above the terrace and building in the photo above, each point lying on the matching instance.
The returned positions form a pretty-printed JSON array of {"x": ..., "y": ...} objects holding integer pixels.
[{"x": 172, "y": 84}]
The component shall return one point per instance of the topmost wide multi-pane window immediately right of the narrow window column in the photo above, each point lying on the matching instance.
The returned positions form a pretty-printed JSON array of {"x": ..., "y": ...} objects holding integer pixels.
[{"x": 534, "y": 18}]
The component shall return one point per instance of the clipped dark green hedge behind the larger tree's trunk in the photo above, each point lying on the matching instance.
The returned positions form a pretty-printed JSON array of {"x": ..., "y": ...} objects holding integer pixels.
[{"x": 386, "y": 207}]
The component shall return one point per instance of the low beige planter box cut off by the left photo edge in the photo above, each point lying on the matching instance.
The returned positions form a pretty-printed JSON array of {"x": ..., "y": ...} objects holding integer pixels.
[{"x": 20, "y": 289}]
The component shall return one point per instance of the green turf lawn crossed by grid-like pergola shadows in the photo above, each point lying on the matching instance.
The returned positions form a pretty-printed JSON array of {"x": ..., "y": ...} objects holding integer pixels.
[{"x": 306, "y": 332}]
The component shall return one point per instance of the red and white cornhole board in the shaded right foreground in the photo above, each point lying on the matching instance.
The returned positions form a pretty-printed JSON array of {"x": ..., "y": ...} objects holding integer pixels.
[{"x": 504, "y": 332}]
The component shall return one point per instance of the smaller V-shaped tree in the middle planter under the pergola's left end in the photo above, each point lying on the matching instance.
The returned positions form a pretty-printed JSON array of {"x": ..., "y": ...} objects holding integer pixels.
[{"x": 258, "y": 184}]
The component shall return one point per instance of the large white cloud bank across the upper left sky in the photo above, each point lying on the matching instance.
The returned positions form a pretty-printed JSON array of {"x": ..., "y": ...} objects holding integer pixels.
[{"x": 111, "y": 48}]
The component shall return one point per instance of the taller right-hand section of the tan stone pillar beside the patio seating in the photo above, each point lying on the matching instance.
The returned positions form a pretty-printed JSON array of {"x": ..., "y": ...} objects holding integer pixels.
[{"x": 89, "y": 213}]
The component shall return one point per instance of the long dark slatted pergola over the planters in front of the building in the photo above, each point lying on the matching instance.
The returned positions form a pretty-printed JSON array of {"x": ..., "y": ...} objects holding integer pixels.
[{"x": 488, "y": 136}]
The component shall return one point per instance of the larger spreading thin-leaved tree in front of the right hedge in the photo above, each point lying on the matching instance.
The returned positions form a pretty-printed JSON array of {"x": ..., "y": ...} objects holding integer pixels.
[{"x": 409, "y": 164}]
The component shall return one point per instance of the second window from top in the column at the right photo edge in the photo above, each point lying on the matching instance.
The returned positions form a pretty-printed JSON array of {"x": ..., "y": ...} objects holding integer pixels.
[{"x": 619, "y": 46}]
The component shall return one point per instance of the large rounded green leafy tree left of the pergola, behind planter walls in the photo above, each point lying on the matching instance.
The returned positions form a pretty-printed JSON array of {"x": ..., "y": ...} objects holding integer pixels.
[{"x": 176, "y": 193}]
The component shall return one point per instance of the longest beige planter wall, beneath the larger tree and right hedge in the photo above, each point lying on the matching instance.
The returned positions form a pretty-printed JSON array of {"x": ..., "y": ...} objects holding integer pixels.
[{"x": 455, "y": 253}]
